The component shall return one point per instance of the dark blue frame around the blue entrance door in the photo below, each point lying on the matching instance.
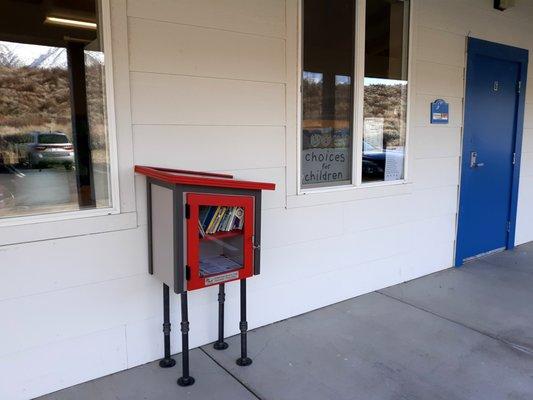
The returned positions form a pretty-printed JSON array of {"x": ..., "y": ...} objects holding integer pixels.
[{"x": 520, "y": 56}]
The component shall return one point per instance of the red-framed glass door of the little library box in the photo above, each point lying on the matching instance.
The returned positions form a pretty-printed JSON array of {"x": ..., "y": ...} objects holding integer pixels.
[{"x": 219, "y": 239}]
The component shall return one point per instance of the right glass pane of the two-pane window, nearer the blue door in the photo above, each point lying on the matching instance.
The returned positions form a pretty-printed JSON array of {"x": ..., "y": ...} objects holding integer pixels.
[{"x": 385, "y": 90}]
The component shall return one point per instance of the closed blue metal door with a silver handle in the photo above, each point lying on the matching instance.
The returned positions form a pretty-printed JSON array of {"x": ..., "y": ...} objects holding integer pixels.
[{"x": 488, "y": 162}]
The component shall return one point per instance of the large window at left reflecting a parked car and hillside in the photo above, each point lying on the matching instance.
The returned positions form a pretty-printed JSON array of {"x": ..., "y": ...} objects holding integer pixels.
[{"x": 54, "y": 144}]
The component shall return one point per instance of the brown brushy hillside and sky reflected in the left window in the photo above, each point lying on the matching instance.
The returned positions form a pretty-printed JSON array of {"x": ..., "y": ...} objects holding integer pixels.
[{"x": 35, "y": 92}]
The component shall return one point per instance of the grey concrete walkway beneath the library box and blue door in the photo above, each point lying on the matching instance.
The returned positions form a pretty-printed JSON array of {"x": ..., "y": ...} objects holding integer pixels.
[{"x": 459, "y": 334}]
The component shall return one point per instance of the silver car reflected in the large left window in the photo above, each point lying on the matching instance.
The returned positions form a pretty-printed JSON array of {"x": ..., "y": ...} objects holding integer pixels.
[{"x": 41, "y": 149}]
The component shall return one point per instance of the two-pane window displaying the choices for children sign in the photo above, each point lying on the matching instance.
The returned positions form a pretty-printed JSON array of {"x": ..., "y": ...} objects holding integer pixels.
[{"x": 331, "y": 86}]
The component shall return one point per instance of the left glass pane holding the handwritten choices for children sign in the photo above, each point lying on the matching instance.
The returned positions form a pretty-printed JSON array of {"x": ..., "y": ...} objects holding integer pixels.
[{"x": 327, "y": 92}]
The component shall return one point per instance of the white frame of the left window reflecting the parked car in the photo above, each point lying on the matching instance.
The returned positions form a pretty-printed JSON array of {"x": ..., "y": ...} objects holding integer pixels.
[{"x": 104, "y": 10}]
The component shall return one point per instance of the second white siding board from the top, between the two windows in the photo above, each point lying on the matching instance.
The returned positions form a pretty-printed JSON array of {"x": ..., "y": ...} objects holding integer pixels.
[{"x": 196, "y": 51}]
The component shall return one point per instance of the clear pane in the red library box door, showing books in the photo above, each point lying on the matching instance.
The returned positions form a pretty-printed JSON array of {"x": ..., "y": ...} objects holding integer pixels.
[{"x": 221, "y": 239}]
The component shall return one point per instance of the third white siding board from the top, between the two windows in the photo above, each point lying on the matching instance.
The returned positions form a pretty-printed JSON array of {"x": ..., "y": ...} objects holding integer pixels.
[{"x": 185, "y": 100}]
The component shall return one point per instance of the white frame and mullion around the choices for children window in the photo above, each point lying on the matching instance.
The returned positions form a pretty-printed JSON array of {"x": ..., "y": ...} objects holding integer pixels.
[{"x": 358, "y": 105}]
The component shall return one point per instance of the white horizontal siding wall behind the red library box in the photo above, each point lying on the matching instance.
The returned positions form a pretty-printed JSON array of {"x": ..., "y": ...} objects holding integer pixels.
[{"x": 212, "y": 88}]
